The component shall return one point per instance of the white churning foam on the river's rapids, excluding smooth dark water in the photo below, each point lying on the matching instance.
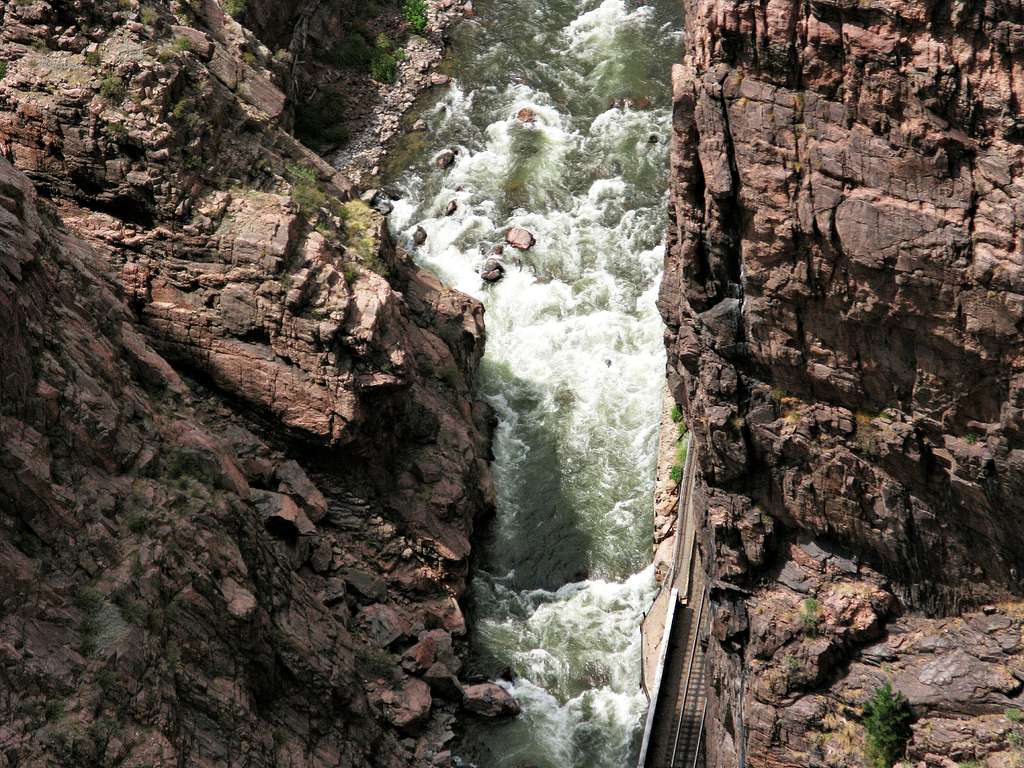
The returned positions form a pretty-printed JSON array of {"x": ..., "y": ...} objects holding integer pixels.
[{"x": 574, "y": 332}]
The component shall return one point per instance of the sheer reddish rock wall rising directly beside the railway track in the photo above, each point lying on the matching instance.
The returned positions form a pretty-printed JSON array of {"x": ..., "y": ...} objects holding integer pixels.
[{"x": 844, "y": 293}]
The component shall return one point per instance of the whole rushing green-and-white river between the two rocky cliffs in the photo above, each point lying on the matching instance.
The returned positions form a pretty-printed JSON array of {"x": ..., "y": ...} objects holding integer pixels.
[{"x": 575, "y": 362}]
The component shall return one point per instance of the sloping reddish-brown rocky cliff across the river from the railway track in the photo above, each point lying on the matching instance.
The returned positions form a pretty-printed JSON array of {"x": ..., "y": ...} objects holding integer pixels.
[{"x": 241, "y": 460}]
